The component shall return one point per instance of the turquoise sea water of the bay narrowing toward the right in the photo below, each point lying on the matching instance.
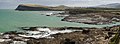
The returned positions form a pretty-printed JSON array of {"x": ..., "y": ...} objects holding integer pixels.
[{"x": 11, "y": 20}]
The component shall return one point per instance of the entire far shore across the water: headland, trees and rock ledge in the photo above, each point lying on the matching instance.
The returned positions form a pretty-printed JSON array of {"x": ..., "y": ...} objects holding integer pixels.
[{"x": 96, "y": 16}]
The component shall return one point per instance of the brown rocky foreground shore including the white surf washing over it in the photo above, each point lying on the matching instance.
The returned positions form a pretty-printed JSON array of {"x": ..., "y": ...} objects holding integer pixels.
[{"x": 59, "y": 35}]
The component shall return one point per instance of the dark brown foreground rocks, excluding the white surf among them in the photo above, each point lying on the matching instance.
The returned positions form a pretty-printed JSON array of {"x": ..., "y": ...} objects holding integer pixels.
[{"x": 87, "y": 36}]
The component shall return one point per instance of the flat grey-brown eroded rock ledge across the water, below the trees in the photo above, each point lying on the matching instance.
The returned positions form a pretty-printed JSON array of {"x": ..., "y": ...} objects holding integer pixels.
[{"x": 93, "y": 18}]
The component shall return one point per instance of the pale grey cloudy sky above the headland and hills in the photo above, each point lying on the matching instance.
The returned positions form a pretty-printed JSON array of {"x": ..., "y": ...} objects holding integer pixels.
[{"x": 12, "y": 4}]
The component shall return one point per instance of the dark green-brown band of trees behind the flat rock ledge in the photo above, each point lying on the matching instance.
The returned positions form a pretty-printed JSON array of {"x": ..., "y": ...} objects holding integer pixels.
[{"x": 79, "y": 10}]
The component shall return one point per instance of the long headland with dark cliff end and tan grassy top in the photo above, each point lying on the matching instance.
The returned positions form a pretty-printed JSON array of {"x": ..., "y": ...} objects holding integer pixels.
[{"x": 34, "y": 7}]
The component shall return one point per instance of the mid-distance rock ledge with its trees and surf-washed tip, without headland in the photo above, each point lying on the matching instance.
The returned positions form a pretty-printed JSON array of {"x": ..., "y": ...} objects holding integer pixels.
[{"x": 89, "y": 16}]
